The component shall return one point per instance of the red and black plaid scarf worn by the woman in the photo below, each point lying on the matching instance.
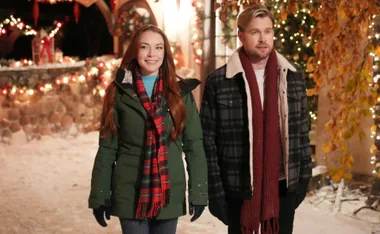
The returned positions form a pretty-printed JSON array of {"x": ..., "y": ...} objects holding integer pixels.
[{"x": 155, "y": 185}]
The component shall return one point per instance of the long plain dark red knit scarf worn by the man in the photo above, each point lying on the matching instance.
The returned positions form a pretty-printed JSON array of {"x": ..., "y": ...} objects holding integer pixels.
[{"x": 263, "y": 209}]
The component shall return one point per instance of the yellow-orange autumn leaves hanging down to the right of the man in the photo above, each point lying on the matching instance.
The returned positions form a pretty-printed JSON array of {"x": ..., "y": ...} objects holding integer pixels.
[{"x": 342, "y": 66}]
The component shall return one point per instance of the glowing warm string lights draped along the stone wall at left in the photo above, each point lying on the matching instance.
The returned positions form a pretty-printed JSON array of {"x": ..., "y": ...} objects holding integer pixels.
[{"x": 101, "y": 72}]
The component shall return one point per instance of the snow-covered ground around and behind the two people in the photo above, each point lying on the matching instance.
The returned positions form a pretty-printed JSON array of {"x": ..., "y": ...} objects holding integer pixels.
[{"x": 44, "y": 186}]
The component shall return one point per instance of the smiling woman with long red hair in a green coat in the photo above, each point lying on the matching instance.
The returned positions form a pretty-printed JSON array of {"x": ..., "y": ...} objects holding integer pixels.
[{"x": 149, "y": 118}]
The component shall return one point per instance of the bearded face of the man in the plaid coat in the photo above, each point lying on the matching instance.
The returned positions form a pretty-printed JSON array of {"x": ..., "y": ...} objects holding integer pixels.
[{"x": 257, "y": 38}]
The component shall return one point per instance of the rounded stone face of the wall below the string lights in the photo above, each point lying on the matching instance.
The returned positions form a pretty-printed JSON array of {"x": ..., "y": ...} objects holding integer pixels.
[{"x": 65, "y": 113}]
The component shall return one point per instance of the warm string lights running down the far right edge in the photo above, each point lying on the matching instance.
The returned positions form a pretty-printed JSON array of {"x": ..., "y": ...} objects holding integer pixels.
[{"x": 375, "y": 130}]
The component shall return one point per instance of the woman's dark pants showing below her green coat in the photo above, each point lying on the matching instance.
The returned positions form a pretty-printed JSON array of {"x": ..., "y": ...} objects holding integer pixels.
[{"x": 151, "y": 226}]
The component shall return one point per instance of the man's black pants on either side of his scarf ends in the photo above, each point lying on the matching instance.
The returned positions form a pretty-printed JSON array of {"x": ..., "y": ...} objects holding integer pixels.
[{"x": 287, "y": 203}]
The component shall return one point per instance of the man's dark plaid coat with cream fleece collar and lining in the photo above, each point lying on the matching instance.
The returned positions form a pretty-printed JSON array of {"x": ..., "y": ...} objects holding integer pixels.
[{"x": 225, "y": 112}]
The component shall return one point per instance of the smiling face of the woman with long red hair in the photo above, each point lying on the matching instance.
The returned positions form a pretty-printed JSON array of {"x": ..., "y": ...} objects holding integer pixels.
[{"x": 150, "y": 53}]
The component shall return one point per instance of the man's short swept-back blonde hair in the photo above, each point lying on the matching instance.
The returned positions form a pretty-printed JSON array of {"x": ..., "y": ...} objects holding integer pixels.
[{"x": 252, "y": 11}]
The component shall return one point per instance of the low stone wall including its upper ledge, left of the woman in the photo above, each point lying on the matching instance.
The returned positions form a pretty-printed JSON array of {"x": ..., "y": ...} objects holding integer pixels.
[{"x": 63, "y": 111}]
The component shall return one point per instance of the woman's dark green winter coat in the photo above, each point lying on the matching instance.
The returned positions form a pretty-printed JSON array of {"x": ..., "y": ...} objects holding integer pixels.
[{"x": 118, "y": 163}]
